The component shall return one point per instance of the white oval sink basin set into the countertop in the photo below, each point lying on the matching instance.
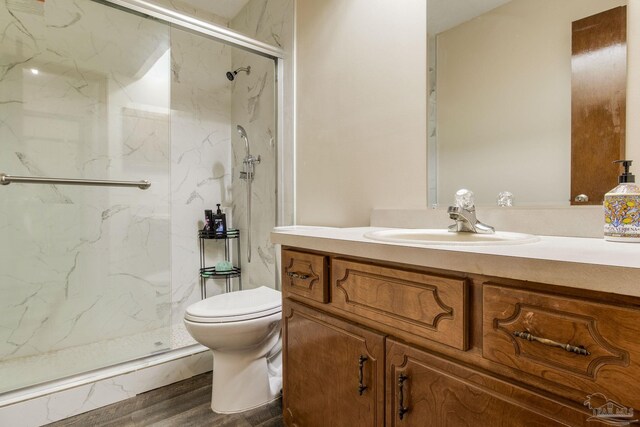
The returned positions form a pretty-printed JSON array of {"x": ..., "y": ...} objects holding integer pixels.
[{"x": 444, "y": 237}]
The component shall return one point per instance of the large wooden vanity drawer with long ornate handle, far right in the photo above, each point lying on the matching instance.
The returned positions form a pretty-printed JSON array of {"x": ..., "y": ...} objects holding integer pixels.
[{"x": 585, "y": 345}]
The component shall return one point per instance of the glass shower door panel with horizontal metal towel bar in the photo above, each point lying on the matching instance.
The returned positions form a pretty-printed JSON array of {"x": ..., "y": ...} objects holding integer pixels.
[{"x": 84, "y": 270}]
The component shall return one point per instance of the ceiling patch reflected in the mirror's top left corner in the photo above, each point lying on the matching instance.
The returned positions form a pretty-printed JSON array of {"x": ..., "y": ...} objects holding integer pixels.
[{"x": 445, "y": 14}]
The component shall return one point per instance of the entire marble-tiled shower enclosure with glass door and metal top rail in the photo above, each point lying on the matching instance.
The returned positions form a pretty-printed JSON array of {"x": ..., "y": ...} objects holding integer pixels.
[{"x": 95, "y": 275}]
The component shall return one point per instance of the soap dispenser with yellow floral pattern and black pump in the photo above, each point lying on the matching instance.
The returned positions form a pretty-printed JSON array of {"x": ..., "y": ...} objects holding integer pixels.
[{"x": 622, "y": 209}]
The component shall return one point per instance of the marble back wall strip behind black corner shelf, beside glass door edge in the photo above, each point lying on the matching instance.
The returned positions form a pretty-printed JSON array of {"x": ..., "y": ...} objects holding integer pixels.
[{"x": 200, "y": 157}]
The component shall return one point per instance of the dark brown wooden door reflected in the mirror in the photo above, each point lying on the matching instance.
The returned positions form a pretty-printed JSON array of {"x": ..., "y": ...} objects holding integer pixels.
[{"x": 598, "y": 103}]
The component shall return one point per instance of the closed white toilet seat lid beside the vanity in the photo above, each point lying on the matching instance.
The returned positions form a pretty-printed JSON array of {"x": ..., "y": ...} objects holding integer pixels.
[{"x": 236, "y": 306}]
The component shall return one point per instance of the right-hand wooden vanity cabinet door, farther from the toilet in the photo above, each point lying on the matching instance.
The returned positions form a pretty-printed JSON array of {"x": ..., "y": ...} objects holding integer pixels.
[{"x": 425, "y": 390}]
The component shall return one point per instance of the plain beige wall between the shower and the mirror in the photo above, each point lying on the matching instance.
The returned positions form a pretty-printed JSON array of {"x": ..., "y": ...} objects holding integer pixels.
[{"x": 361, "y": 108}]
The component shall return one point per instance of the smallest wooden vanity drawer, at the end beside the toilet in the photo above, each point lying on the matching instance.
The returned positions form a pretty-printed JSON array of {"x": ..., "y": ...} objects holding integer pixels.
[{"x": 305, "y": 275}]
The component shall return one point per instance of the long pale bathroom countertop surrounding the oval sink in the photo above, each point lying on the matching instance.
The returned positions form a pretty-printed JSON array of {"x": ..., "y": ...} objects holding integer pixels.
[{"x": 583, "y": 263}]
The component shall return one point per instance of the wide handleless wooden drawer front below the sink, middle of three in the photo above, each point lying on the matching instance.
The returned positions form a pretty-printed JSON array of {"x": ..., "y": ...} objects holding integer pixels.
[{"x": 423, "y": 305}]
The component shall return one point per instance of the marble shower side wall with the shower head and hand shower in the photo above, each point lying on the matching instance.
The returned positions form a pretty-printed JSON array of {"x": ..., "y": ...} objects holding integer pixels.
[{"x": 253, "y": 106}]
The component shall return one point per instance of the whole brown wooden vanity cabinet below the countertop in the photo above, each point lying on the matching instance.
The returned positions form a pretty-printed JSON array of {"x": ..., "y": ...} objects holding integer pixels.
[{"x": 393, "y": 345}]
